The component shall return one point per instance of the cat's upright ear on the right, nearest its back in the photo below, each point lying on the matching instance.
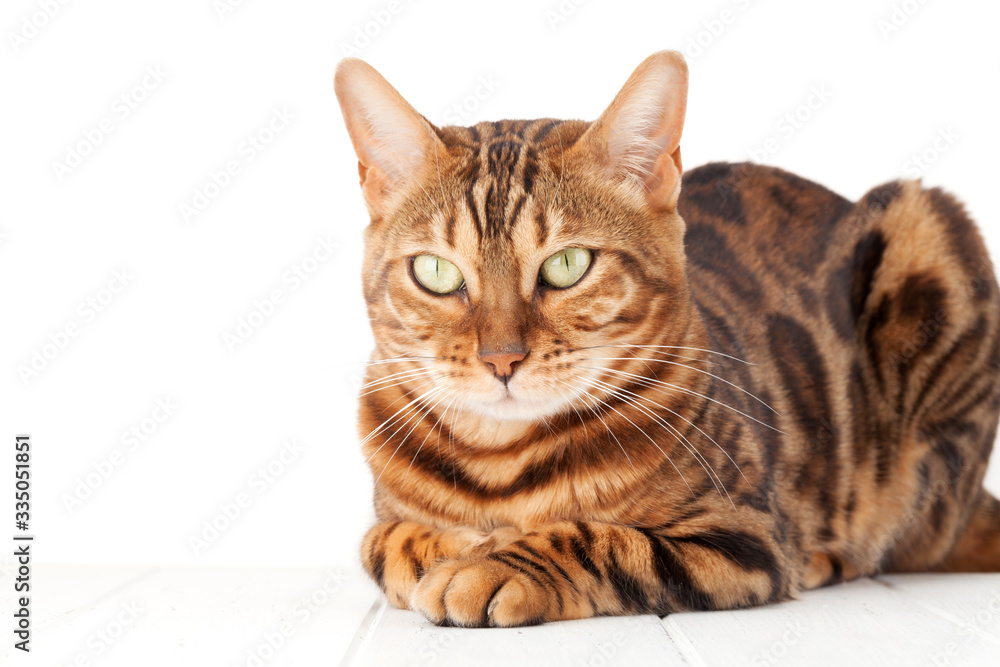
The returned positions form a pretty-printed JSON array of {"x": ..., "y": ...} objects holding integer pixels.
[{"x": 637, "y": 138}]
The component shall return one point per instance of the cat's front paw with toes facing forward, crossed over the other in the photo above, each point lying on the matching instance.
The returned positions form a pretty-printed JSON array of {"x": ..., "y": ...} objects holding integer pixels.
[{"x": 480, "y": 592}]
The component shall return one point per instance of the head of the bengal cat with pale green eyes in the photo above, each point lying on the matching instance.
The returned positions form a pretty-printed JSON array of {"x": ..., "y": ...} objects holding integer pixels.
[{"x": 513, "y": 260}]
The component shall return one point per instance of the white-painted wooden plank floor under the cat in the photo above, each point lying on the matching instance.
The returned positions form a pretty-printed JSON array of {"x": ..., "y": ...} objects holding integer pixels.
[{"x": 114, "y": 615}]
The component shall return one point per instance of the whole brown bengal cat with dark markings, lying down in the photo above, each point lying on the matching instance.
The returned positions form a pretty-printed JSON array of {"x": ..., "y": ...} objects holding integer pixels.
[{"x": 597, "y": 392}]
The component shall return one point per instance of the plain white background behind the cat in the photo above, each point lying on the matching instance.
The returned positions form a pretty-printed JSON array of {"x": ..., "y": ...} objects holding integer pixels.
[{"x": 162, "y": 336}]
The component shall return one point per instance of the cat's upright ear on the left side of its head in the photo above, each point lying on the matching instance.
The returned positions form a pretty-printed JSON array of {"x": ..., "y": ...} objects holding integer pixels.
[{"x": 393, "y": 142}]
